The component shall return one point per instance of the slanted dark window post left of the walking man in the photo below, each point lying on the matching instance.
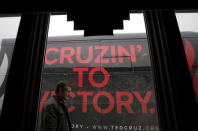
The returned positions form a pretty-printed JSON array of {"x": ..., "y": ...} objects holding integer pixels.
[{"x": 20, "y": 104}]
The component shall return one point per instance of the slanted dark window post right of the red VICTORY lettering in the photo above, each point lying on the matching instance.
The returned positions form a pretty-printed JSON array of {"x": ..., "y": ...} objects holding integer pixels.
[{"x": 174, "y": 90}]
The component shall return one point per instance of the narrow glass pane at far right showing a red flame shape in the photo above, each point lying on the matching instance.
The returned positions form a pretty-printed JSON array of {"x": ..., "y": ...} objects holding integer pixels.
[{"x": 189, "y": 31}]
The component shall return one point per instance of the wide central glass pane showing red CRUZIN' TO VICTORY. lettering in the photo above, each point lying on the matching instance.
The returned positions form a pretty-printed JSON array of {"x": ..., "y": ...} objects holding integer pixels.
[{"x": 110, "y": 77}]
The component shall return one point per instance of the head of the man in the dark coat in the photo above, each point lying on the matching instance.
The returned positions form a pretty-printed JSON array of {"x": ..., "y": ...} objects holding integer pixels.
[{"x": 63, "y": 90}]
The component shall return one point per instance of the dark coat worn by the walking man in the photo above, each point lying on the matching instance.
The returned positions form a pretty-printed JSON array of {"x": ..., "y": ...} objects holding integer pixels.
[{"x": 54, "y": 116}]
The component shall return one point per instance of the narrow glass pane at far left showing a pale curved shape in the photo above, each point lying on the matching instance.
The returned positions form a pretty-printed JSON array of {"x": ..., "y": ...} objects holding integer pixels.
[{"x": 8, "y": 31}]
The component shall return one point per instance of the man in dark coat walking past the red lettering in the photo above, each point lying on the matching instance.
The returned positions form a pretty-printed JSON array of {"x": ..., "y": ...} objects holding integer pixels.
[{"x": 54, "y": 116}]
